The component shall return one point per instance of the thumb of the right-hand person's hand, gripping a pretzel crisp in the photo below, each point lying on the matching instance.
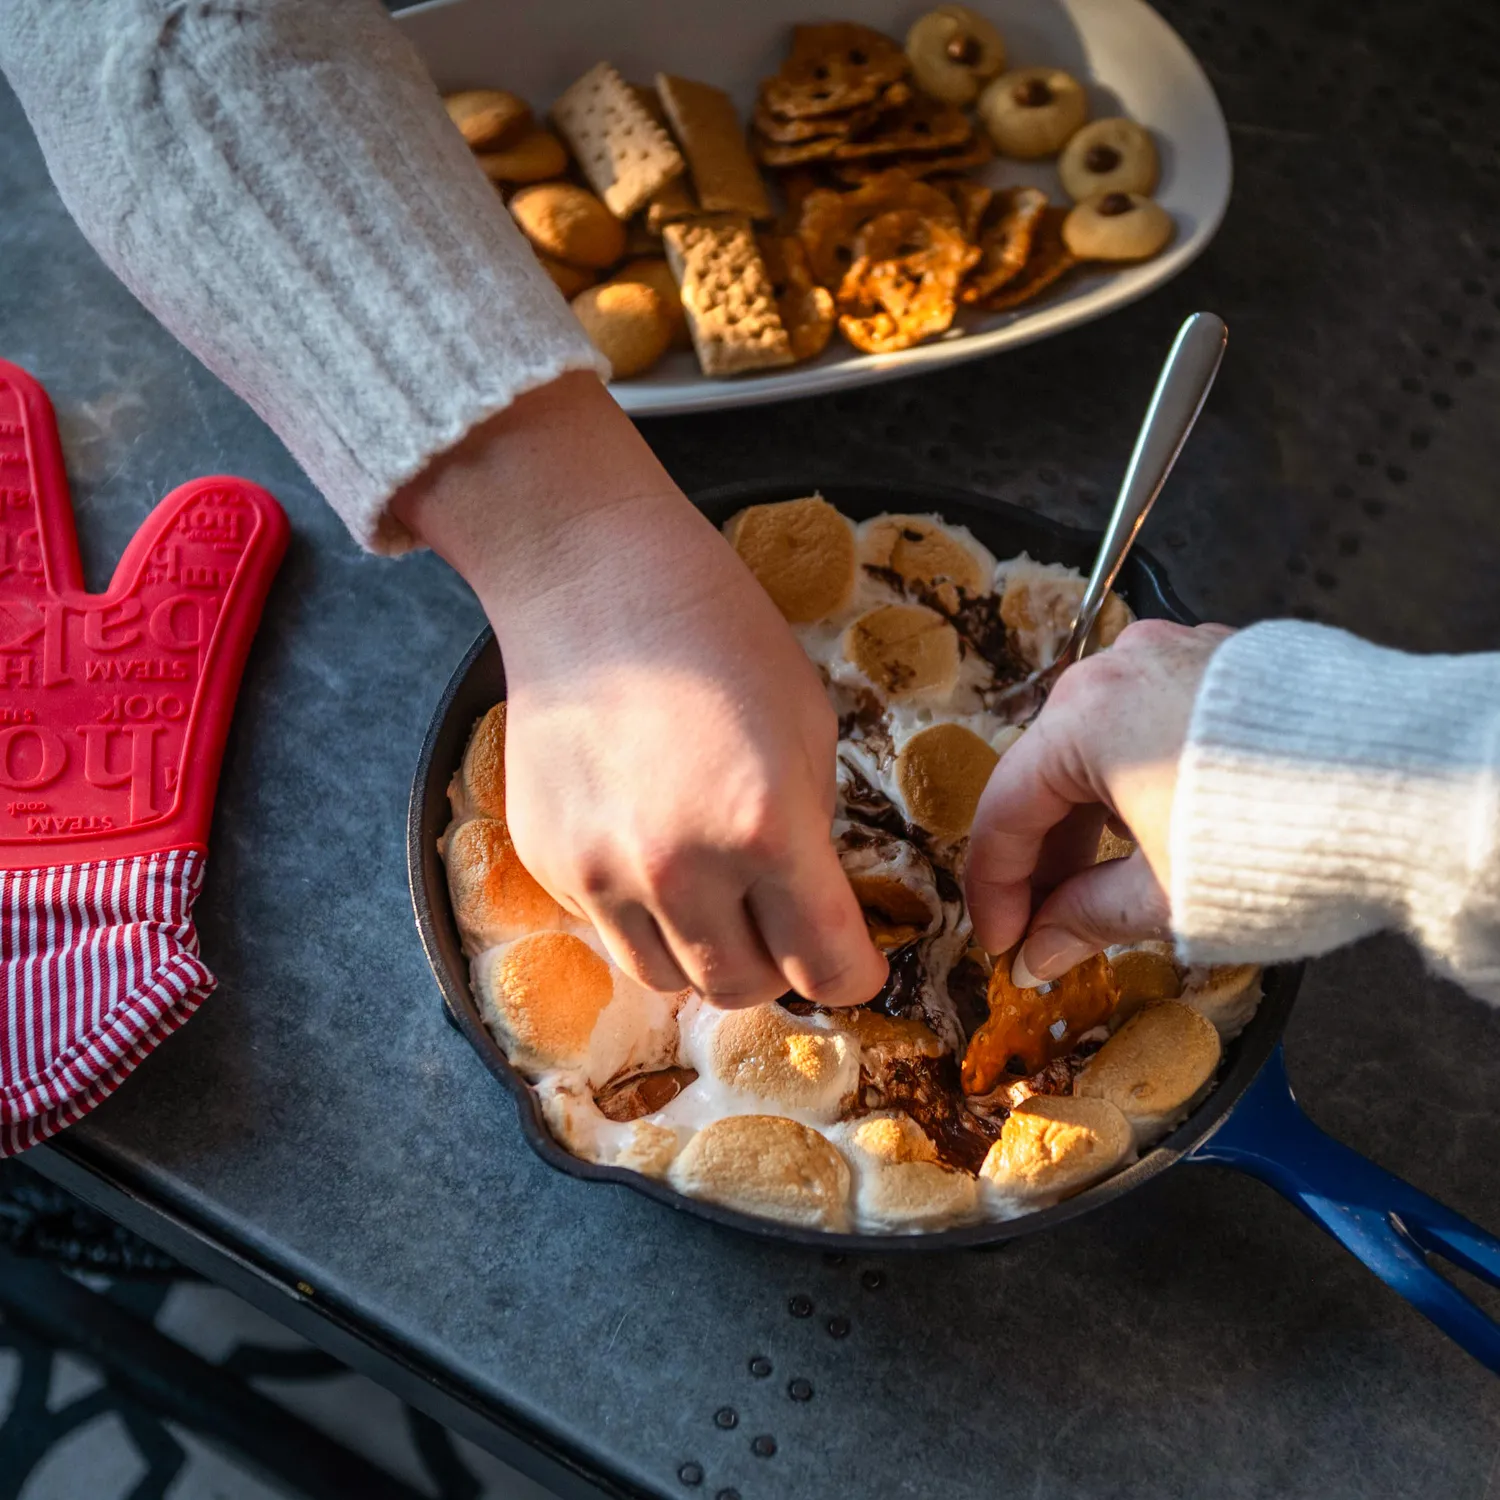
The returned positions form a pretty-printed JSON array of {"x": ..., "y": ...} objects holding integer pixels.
[{"x": 1115, "y": 902}]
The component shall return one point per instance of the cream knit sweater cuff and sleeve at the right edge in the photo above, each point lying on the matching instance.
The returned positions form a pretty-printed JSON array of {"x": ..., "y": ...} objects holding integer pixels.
[{"x": 1330, "y": 790}]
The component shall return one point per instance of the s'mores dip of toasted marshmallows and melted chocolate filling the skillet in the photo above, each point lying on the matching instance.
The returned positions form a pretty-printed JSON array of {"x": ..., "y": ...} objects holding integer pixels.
[{"x": 955, "y": 1096}]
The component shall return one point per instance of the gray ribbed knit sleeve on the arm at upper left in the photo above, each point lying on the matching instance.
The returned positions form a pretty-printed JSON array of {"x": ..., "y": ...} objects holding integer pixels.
[{"x": 281, "y": 187}]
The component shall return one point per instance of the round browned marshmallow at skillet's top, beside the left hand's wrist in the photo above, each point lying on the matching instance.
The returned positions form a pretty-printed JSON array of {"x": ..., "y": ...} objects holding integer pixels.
[{"x": 802, "y": 553}]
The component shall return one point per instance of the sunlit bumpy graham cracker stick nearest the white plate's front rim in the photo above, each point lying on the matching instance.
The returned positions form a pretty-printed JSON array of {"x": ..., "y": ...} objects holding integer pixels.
[{"x": 727, "y": 295}]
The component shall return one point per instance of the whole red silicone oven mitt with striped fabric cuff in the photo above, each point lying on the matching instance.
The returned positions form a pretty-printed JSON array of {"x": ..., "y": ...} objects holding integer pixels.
[{"x": 113, "y": 716}]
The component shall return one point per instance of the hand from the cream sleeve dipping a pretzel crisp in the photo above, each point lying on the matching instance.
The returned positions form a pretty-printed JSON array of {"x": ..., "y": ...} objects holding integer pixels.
[{"x": 1111, "y": 736}]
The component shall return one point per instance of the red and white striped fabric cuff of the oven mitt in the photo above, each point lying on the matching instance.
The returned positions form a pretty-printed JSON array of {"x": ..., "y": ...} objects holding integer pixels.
[{"x": 100, "y": 962}]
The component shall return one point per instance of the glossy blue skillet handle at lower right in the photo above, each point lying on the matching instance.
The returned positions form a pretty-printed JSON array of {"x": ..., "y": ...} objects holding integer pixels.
[{"x": 1385, "y": 1222}]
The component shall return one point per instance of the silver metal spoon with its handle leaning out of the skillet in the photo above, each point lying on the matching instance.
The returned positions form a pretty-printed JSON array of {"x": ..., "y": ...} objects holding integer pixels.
[{"x": 1175, "y": 406}]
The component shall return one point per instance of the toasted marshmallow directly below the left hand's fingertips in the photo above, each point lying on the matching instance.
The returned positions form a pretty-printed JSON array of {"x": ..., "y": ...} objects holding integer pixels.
[{"x": 769, "y": 1055}]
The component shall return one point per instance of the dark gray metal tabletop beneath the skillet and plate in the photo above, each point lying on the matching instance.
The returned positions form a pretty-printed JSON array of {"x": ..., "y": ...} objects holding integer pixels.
[{"x": 323, "y": 1139}]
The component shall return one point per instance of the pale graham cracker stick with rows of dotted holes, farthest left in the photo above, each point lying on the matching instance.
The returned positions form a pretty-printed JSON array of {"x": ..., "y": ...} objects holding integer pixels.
[{"x": 625, "y": 154}]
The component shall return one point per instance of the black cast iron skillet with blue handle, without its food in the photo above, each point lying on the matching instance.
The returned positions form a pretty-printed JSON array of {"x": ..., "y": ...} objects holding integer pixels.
[{"x": 1250, "y": 1121}]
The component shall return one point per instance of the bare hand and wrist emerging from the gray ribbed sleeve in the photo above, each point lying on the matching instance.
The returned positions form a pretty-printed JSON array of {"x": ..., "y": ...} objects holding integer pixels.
[{"x": 670, "y": 749}]
